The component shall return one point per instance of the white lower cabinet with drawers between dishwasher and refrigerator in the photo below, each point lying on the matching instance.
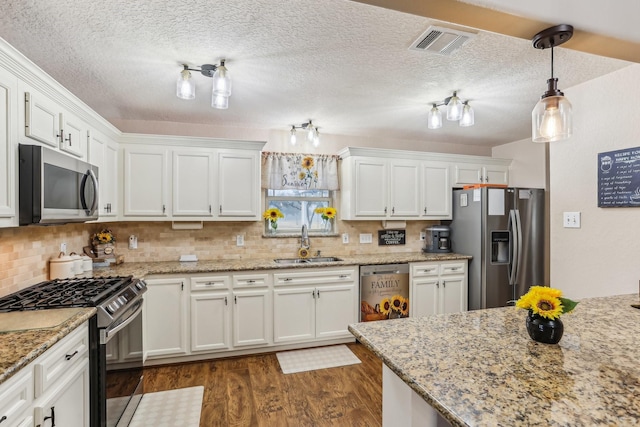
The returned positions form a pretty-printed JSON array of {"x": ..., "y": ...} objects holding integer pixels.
[{"x": 438, "y": 288}]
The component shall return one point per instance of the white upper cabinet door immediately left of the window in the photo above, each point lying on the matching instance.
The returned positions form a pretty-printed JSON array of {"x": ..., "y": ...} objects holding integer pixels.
[{"x": 238, "y": 184}]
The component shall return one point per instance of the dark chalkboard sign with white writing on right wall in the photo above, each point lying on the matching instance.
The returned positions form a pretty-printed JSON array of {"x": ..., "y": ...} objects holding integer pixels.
[{"x": 619, "y": 178}]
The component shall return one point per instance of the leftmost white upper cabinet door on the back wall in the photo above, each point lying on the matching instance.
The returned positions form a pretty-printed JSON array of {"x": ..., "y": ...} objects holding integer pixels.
[{"x": 146, "y": 181}]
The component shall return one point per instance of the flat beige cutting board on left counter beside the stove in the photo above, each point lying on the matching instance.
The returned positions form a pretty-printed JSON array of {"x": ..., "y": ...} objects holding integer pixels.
[{"x": 35, "y": 319}]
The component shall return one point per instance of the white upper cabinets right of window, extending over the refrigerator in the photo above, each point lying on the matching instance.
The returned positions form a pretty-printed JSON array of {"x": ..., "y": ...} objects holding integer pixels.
[{"x": 409, "y": 185}]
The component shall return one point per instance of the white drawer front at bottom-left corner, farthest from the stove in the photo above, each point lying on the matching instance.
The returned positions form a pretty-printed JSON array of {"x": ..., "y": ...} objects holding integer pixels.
[{"x": 16, "y": 396}]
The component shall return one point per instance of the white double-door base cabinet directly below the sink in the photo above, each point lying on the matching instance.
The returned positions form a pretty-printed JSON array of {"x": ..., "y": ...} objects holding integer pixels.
[{"x": 314, "y": 304}]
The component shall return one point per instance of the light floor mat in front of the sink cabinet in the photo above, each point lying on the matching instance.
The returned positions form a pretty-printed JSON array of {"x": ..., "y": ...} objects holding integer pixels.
[{"x": 316, "y": 358}]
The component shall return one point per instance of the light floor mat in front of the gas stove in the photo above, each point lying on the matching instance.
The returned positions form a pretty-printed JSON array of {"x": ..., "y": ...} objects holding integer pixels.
[{"x": 170, "y": 408}]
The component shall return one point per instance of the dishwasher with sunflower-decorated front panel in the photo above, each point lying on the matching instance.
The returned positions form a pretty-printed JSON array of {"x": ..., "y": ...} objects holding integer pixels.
[{"x": 384, "y": 292}]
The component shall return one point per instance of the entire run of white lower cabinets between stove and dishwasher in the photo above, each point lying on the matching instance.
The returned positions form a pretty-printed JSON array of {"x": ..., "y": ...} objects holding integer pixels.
[{"x": 245, "y": 311}]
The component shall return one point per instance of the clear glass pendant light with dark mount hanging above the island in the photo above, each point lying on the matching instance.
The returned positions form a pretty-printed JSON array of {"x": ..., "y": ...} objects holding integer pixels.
[{"x": 551, "y": 117}]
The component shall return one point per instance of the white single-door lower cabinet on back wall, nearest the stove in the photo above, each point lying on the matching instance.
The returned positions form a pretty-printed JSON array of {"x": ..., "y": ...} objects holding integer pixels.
[{"x": 165, "y": 317}]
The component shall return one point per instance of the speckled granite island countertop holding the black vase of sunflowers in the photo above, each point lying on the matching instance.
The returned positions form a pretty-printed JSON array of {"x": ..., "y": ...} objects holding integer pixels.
[{"x": 480, "y": 368}]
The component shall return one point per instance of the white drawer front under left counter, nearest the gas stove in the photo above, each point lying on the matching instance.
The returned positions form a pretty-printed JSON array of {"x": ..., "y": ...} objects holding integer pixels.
[{"x": 60, "y": 358}]
